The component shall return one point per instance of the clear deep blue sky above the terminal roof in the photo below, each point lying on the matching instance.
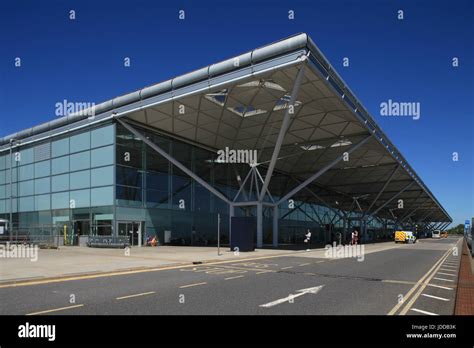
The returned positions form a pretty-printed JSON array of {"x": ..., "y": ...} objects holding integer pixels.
[{"x": 408, "y": 60}]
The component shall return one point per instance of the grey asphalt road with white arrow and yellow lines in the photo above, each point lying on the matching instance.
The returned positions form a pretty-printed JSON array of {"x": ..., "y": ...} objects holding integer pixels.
[{"x": 417, "y": 279}]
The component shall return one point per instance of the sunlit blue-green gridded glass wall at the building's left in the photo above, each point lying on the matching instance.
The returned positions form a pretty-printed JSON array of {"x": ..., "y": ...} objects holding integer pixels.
[{"x": 61, "y": 180}]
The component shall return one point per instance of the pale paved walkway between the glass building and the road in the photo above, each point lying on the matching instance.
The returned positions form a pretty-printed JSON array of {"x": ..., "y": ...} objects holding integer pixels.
[{"x": 68, "y": 261}]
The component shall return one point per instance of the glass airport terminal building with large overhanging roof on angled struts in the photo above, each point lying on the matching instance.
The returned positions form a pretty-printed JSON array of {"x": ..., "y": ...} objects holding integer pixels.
[{"x": 273, "y": 136}]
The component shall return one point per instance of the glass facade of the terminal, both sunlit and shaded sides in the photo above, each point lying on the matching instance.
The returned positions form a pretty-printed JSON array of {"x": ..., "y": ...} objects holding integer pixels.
[{"x": 99, "y": 181}]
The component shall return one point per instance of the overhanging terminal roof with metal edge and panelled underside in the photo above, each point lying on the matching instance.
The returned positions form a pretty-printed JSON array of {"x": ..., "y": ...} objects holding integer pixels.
[{"x": 239, "y": 103}]
